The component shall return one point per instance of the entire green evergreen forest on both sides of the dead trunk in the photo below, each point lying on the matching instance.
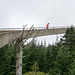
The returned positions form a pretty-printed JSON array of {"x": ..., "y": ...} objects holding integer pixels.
[{"x": 56, "y": 59}]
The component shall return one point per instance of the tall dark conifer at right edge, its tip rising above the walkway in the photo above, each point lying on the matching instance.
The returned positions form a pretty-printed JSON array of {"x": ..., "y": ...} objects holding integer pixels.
[{"x": 69, "y": 39}]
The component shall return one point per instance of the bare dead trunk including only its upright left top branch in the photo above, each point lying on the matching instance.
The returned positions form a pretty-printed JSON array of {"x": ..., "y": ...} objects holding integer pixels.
[{"x": 19, "y": 54}]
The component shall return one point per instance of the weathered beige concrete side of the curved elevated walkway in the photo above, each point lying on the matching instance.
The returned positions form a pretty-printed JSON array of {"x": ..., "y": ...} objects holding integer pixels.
[{"x": 8, "y": 37}]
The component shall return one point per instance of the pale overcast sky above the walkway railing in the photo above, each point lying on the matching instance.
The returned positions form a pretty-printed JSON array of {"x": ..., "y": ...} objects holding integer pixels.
[{"x": 16, "y": 13}]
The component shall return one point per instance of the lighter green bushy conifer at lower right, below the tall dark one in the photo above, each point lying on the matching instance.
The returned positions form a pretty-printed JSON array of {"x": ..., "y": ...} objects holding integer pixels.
[{"x": 63, "y": 62}]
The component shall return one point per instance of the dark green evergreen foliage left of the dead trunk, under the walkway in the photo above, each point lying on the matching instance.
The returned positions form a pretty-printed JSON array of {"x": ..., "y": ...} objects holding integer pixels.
[{"x": 7, "y": 60}]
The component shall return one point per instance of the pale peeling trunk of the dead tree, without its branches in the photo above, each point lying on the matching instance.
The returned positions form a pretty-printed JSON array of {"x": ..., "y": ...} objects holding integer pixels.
[{"x": 19, "y": 59}]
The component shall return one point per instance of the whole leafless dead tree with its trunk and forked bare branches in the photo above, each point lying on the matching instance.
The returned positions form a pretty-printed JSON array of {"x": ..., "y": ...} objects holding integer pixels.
[{"x": 20, "y": 42}]
